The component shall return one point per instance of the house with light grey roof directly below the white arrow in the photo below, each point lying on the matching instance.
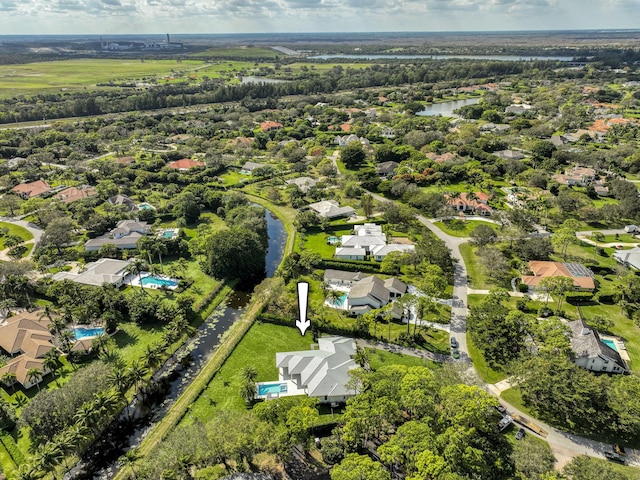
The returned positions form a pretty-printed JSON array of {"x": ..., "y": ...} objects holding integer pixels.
[{"x": 322, "y": 373}]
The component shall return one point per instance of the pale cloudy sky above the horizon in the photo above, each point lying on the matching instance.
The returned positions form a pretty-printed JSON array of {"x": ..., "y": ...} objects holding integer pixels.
[{"x": 262, "y": 16}]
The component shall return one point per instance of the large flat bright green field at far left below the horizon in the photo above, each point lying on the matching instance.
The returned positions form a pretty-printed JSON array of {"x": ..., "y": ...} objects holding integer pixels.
[{"x": 67, "y": 75}]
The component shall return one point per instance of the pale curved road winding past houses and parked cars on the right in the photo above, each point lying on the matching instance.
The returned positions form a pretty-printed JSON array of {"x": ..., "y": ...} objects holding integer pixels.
[{"x": 563, "y": 445}]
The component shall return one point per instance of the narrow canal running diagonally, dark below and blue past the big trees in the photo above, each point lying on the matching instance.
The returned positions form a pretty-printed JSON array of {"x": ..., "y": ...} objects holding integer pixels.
[{"x": 100, "y": 462}]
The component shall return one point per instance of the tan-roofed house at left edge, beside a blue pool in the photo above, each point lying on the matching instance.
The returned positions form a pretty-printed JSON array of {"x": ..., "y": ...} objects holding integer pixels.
[{"x": 26, "y": 337}]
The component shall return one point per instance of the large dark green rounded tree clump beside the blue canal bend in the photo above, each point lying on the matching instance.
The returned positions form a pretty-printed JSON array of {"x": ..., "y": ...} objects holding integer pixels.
[{"x": 236, "y": 253}]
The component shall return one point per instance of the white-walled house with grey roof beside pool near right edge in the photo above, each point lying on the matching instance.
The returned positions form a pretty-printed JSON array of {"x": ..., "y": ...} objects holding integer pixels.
[{"x": 591, "y": 353}]
